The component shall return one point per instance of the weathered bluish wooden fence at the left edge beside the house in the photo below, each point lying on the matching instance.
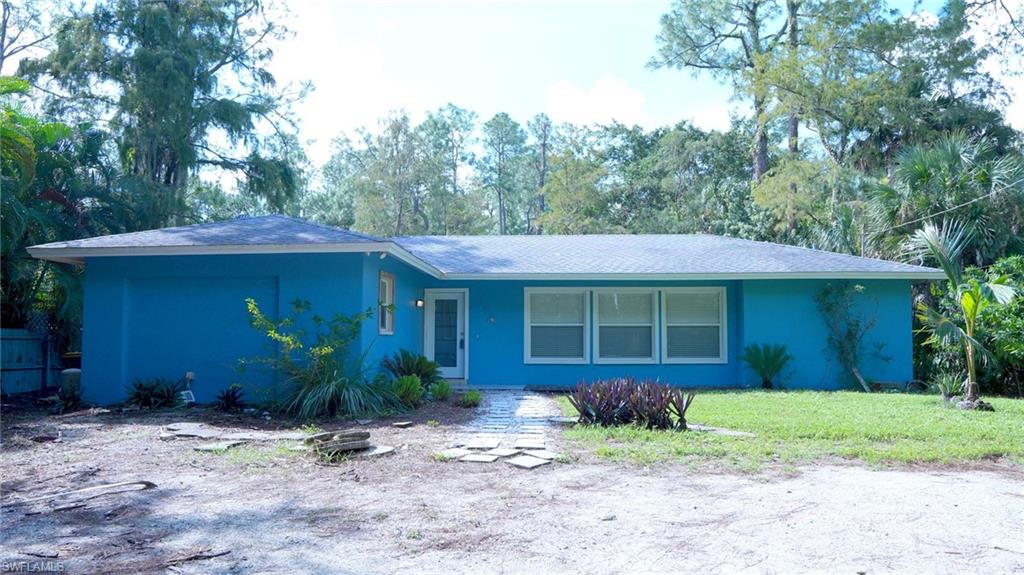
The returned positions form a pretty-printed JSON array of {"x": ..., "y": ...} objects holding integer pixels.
[{"x": 29, "y": 362}]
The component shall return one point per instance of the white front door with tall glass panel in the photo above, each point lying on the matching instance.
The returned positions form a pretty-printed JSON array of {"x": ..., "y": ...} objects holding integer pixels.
[{"x": 445, "y": 331}]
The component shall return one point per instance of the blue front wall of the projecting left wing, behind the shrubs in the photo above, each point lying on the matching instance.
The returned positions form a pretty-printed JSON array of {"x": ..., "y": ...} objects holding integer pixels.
[{"x": 162, "y": 317}]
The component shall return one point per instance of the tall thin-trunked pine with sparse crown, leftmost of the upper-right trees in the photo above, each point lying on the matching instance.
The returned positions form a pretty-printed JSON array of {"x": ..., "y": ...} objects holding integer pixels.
[{"x": 733, "y": 41}]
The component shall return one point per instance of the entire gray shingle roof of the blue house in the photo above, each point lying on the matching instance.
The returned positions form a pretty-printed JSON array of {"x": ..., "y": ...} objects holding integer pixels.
[{"x": 500, "y": 255}]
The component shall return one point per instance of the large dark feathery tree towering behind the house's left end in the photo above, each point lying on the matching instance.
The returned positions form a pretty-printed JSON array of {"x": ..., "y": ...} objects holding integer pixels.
[{"x": 176, "y": 78}]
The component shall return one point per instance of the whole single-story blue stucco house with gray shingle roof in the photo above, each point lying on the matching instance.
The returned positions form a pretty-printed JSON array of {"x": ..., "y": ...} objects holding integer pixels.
[{"x": 494, "y": 312}]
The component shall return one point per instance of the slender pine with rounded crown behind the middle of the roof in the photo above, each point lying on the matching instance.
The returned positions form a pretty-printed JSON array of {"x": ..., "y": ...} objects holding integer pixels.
[{"x": 501, "y": 167}]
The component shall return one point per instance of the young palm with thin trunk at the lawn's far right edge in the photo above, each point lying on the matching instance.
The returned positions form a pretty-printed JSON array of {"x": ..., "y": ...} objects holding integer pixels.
[{"x": 946, "y": 246}]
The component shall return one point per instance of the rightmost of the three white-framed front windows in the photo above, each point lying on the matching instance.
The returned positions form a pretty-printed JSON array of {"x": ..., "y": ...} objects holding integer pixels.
[{"x": 694, "y": 326}]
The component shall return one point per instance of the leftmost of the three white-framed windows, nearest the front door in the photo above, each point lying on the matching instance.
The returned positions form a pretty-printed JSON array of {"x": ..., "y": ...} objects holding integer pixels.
[{"x": 558, "y": 328}]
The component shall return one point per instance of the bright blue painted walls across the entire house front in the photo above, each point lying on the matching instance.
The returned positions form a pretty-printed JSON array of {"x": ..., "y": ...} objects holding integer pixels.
[{"x": 162, "y": 317}]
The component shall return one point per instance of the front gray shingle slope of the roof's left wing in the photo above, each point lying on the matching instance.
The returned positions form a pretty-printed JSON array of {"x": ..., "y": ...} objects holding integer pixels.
[{"x": 262, "y": 231}]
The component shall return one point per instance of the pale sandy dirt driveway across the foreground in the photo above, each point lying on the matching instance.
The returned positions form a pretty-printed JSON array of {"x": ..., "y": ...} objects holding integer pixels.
[{"x": 280, "y": 512}]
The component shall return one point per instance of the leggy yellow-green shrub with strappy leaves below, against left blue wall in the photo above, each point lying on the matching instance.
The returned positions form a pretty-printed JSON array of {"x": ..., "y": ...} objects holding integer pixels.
[{"x": 326, "y": 379}]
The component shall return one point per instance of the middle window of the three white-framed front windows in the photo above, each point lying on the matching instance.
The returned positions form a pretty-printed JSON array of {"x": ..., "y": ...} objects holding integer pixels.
[{"x": 626, "y": 326}]
